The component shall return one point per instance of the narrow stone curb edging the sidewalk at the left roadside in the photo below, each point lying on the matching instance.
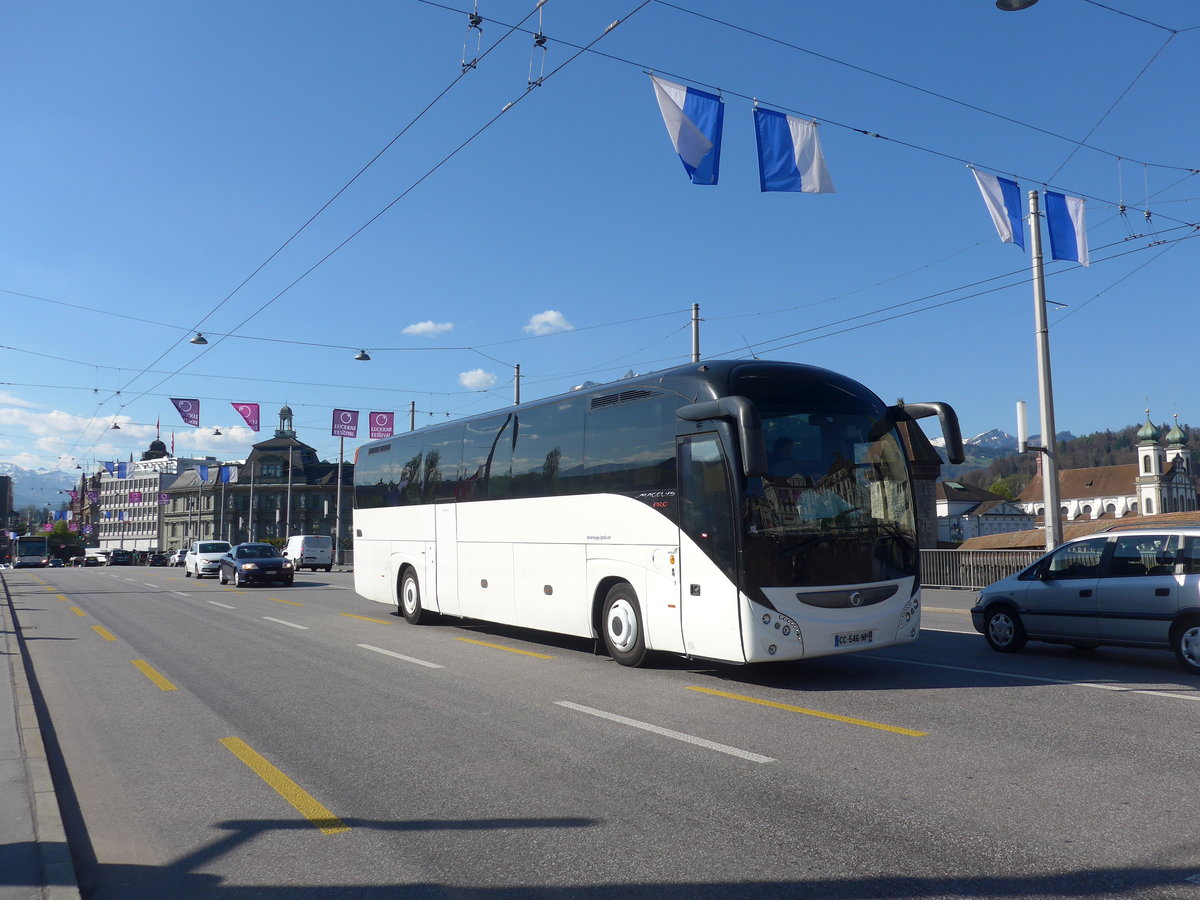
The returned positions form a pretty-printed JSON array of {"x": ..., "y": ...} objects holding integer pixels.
[{"x": 58, "y": 874}]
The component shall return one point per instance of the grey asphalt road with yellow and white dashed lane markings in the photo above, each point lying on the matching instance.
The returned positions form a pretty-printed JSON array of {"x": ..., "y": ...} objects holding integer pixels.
[{"x": 305, "y": 743}]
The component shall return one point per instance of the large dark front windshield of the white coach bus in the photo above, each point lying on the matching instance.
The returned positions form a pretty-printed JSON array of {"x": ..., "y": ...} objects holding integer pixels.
[{"x": 835, "y": 507}]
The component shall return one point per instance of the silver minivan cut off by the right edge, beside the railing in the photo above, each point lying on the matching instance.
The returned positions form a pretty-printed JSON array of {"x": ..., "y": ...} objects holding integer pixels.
[{"x": 1129, "y": 589}]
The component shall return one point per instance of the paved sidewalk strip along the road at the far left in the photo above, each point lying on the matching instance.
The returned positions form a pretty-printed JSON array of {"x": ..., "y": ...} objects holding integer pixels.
[{"x": 35, "y": 861}]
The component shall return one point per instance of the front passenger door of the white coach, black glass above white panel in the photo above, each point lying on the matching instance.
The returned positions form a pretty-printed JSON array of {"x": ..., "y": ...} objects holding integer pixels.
[{"x": 709, "y": 587}]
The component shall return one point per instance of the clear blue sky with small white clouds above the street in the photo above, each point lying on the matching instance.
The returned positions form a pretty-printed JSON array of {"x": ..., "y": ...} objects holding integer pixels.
[{"x": 157, "y": 155}]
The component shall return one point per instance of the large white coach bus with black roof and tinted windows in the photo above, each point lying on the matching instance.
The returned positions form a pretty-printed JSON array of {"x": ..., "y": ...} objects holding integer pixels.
[{"x": 740, "y": 512}]
